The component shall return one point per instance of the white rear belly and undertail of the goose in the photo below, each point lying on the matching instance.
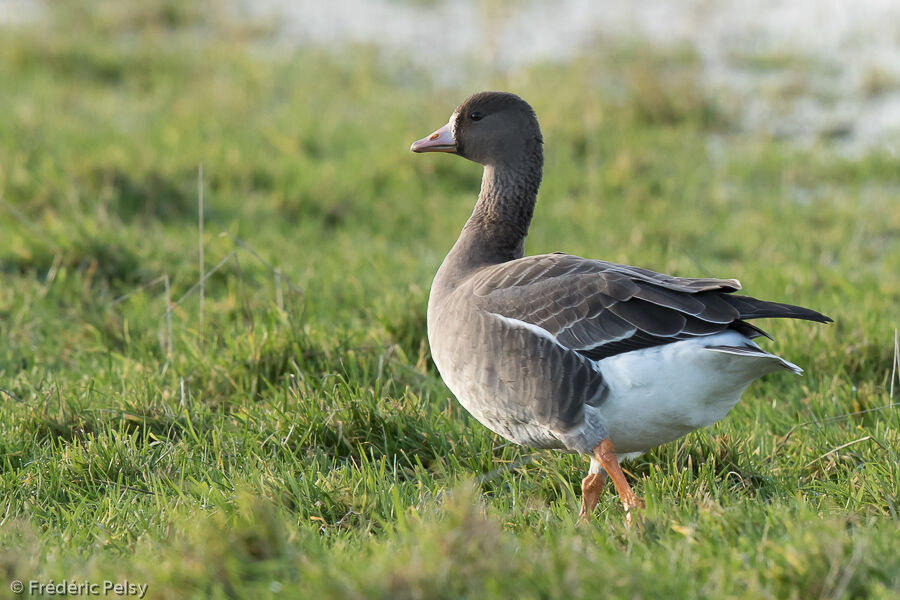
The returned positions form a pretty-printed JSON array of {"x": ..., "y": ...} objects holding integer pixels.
[{"x": 662, "y": 393}]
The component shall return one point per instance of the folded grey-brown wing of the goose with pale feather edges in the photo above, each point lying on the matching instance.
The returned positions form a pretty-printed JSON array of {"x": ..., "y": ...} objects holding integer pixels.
[{"x": 601, "y": 309}]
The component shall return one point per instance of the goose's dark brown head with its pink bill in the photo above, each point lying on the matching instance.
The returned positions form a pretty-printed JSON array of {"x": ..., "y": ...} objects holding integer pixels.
[{"x": 490, "y": 128}]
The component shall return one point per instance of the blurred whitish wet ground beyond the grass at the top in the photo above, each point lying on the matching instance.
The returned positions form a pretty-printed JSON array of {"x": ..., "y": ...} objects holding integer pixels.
[{"x": 796, "y": 68}]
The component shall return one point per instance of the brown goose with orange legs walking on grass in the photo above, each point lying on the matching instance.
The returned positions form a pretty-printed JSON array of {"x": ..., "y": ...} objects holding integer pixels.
[{"x": 557, "y": 351}]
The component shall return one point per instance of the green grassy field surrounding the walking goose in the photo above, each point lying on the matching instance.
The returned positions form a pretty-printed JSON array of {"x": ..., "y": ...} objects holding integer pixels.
[{"x": 285, "y": 434}]
